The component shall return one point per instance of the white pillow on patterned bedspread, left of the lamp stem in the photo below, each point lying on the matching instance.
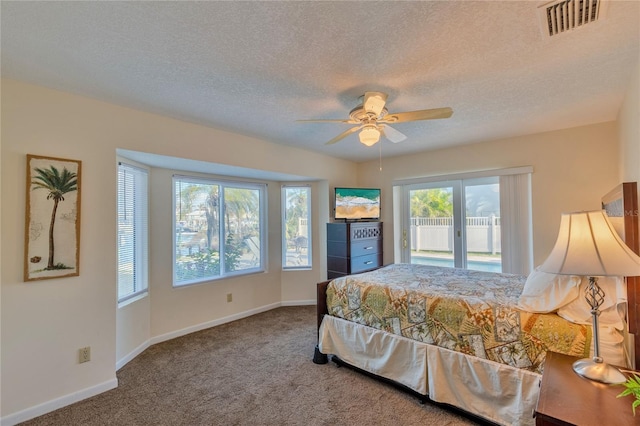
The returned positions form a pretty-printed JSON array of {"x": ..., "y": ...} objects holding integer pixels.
[{"x": 544, "y": 292}]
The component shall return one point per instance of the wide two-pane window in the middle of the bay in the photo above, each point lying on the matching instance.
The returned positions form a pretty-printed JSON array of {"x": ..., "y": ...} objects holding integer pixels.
[{"x": 219, "y": 229}]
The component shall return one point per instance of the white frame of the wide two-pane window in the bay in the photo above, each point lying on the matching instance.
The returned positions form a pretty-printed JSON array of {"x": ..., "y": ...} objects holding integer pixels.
[{"x": 222, "y": 185}]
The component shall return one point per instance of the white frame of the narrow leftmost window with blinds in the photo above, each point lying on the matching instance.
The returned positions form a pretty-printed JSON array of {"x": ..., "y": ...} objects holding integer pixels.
[{"x": 140, "y": 231}]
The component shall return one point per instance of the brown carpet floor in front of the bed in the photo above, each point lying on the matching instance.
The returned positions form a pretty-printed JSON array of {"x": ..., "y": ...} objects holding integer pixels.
[{"x": 254, "y": 371}]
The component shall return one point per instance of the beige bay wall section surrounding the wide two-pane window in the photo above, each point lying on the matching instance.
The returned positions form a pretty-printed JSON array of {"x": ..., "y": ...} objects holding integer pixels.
[{"x": 178, "y": 308}]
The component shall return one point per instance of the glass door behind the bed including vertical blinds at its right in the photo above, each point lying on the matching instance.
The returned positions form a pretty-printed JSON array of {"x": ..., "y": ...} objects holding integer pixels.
[{"x": 479, "y": 221}]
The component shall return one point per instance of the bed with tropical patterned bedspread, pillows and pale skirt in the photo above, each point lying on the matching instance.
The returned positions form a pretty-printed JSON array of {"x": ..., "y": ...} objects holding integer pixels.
[{"x": 471, "y": 339}]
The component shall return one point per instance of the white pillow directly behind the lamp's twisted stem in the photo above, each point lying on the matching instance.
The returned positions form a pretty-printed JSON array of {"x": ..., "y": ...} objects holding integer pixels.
[{"x": 612, "y": 310}]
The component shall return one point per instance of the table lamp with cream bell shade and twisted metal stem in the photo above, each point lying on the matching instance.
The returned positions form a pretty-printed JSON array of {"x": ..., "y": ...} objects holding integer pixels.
[{"x": 588, "y": 245}]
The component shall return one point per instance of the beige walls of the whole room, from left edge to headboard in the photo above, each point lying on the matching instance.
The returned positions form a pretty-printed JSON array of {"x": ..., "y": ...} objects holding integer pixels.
[{"x": 44, "y": 323}]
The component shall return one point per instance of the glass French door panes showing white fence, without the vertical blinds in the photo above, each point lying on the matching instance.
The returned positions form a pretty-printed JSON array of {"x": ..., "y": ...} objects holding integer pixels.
[{"x": 453, "y": 223}]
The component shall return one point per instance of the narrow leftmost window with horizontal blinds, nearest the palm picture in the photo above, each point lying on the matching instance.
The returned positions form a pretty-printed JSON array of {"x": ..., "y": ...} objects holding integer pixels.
[{"x": 132, "y": 231}]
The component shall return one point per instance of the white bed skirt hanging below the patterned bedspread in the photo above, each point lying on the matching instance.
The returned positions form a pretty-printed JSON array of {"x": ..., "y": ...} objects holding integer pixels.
[{"x": 496, "y": 392}]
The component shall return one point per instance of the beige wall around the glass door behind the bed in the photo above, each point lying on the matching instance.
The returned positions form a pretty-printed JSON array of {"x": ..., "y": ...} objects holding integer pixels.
[{"x": 572, "y": 168}]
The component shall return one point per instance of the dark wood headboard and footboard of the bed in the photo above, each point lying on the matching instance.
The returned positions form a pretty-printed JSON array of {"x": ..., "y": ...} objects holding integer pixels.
[{"x": 624, "y": 195}]
